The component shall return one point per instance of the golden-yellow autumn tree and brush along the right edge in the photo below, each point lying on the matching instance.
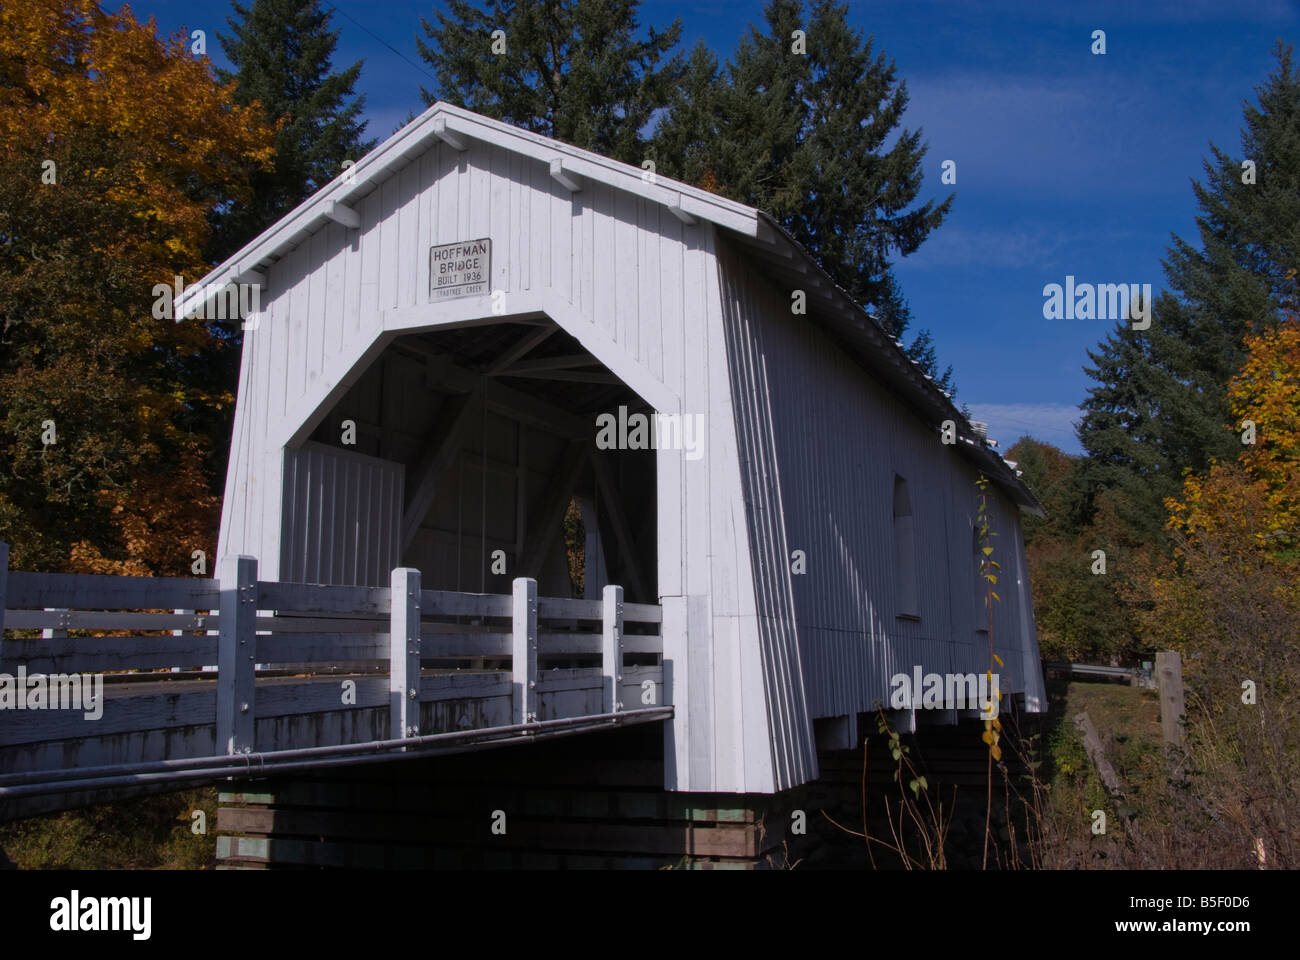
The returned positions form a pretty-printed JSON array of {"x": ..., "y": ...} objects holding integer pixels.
[{"x": 1229, "y": 600}]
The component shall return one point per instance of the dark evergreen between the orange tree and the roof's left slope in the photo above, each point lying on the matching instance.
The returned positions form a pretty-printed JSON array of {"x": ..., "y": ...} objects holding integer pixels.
[{"x": 281, "y": 51}]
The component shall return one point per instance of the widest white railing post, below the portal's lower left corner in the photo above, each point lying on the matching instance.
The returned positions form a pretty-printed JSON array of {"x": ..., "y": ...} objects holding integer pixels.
[{"x": 237, "y": 650}]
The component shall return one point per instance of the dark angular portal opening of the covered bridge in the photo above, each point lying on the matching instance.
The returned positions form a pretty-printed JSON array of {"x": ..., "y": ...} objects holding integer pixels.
[{"x": 473, "y": 455}]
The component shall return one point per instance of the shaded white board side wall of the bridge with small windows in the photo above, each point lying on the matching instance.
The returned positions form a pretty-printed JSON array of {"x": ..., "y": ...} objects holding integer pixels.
[{"x": 825, "y": 442}]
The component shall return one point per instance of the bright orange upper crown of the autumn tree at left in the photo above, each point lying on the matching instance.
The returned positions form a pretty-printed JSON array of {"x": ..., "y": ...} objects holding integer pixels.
[{"x": 166, "y": 132}]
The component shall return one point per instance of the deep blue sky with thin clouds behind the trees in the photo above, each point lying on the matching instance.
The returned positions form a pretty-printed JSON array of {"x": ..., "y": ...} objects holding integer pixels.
[{"x": 1068, "y": 163}]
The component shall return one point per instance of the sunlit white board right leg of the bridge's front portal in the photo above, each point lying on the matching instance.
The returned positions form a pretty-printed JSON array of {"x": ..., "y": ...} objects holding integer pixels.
[{"x": 738, "y": 727}]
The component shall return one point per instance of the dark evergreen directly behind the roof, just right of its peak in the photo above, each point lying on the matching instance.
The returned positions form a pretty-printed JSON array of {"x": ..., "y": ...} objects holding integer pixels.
[{"x": 569, "y": 70}]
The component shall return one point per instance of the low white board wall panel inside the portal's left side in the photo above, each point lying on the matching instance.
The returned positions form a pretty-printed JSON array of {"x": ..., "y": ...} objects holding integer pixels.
[{"x": 341, "y": 517}]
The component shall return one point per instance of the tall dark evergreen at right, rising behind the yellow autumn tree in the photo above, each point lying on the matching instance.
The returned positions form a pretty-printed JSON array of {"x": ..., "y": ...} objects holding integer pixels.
[{"x": 1160, "y": 405}]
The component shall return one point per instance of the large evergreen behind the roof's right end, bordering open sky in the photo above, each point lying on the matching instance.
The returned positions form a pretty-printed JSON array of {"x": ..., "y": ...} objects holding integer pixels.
[{"x": 795, "y": 126}]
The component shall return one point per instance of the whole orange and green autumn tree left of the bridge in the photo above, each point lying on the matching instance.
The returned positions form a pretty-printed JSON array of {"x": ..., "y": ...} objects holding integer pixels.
[{"x": 115, "y": 148}]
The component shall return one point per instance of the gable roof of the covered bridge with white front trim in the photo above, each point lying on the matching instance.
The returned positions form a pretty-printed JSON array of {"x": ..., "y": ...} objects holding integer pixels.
[{"x": 847, "y": 322}]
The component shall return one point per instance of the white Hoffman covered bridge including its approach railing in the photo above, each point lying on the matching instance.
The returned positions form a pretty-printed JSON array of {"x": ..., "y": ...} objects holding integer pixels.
[{"x": 440, "y": 405}]
